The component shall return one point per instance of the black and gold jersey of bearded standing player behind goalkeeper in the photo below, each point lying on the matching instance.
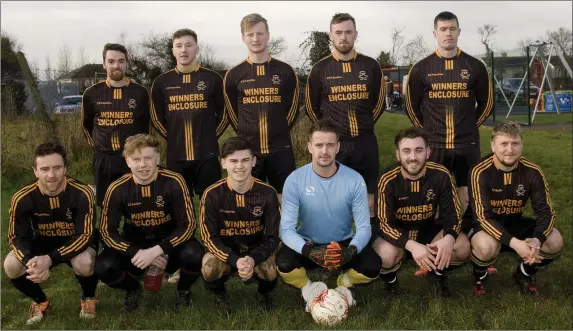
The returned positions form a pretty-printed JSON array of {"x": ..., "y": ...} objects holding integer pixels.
[{"x": 351, "y": 93}]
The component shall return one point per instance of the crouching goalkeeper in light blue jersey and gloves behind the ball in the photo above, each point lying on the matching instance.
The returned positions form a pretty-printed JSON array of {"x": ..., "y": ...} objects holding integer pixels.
[{"x": 325, "y": 195}]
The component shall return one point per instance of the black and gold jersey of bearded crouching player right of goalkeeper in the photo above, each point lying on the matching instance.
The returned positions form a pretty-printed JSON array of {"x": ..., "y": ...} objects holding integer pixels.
[{"x": 404, "y": 206}]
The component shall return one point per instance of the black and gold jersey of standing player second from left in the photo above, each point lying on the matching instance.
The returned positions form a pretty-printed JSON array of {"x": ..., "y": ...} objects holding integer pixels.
[{"x": 189, "y": 110}]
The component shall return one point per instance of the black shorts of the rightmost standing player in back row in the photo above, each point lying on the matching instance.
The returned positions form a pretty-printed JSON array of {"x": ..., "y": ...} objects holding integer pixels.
[{"x": 457, "y": 161}]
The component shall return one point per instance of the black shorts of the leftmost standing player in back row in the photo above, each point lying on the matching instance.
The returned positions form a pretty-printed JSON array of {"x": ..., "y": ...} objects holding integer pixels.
[{"x": 108, "y": 167}]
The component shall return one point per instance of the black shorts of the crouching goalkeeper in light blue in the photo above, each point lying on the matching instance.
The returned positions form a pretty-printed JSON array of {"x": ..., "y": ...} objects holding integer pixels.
[{"x": 367, "y": 262}]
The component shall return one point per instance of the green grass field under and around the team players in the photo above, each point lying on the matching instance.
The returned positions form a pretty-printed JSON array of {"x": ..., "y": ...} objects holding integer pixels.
[{"x": 416, "y": 308}]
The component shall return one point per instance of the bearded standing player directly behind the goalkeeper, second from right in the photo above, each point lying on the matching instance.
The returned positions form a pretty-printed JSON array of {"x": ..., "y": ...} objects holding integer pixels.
[{"x": 348, "y": 88}]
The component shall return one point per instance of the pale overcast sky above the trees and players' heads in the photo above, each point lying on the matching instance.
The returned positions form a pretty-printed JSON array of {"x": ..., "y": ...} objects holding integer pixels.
[{"x": 43, "y": 27}]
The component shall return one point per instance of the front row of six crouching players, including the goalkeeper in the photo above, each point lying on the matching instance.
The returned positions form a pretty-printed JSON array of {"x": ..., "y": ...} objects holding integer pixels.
[{"x": 52, "y": 221}]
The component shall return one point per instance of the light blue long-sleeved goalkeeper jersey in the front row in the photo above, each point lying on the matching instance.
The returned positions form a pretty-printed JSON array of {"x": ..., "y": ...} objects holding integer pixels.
[{"x": 325, "y": 207}]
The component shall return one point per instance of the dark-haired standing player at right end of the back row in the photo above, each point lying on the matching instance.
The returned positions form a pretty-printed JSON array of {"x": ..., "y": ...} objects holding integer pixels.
[{"x": 449, "y": 94}]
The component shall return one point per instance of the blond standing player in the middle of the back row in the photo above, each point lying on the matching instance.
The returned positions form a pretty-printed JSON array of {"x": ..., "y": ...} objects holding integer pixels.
[{"x": 262, "y": 97}]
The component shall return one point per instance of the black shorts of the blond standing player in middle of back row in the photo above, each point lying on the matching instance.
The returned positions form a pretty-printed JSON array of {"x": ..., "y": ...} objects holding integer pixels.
[{"x": 275, "y": 166}]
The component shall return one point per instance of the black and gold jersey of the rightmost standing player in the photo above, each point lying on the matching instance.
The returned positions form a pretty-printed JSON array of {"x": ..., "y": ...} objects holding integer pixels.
[{"x": 450, "y": 98}]
